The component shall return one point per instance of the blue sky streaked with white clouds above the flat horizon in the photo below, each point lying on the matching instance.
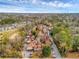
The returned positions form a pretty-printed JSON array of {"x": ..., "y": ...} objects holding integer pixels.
[{"x": 39, "y": 6}]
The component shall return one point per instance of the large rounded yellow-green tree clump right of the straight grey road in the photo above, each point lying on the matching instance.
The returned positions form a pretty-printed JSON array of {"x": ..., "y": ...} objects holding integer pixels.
[{"x": 62, "y": 37}]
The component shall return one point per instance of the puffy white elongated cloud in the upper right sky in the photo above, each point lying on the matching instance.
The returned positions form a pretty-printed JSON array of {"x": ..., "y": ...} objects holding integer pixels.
[{"x": 58, "y": 4}]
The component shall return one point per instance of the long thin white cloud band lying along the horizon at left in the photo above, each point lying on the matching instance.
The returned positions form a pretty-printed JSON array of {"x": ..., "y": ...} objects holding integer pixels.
[{"x": 18, "y": 10}]
